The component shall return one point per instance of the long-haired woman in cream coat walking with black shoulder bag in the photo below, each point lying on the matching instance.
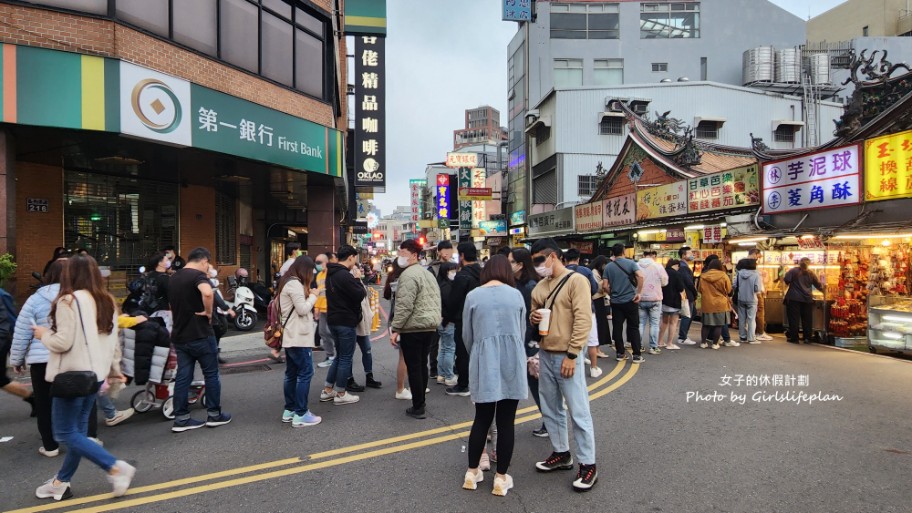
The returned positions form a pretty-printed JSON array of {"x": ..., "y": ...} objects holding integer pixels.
[{"x": 84, "y": 349}]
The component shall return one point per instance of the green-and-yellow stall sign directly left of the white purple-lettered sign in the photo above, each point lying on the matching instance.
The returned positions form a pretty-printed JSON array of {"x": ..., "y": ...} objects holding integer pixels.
[{"x": 729, "y": 189}]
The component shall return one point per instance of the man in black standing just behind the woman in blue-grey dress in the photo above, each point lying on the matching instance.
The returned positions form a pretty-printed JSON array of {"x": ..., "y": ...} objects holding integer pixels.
[{"x": 467, "y": 279}]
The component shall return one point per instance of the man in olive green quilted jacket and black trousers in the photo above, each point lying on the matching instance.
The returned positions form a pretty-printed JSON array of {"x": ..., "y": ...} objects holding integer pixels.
[{"x": 415, "y": 320}]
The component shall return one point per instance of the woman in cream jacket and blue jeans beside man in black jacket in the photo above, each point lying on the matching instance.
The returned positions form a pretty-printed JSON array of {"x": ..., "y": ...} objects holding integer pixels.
[{"x": 295, "y": 301}]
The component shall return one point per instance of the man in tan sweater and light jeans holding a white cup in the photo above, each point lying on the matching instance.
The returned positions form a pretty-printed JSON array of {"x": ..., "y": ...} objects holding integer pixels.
[{"x": 562, "y": 378}]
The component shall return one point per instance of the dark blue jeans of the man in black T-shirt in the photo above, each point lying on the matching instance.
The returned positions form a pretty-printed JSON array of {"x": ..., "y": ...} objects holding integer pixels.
[{"x": 204, "y": 351}]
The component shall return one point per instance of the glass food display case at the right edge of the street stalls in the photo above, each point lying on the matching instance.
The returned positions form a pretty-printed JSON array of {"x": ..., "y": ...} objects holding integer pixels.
[{"x": 890, "y": 323}]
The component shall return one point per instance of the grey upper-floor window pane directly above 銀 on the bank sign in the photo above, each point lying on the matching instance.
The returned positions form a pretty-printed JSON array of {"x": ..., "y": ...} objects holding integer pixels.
[{"x": 239, "y": 34}]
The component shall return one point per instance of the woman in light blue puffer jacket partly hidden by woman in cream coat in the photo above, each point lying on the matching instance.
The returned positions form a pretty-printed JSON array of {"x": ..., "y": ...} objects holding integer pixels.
[{"x": 29, "y": 350}]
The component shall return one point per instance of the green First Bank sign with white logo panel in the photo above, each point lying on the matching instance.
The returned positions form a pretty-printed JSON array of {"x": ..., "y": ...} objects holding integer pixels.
[{"x": 171, "y": 110}]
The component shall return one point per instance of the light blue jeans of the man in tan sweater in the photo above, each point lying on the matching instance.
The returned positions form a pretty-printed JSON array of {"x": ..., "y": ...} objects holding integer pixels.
[{"x": 553, "y": 390}]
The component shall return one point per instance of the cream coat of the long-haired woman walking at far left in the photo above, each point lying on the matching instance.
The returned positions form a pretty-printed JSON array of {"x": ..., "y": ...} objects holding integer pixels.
[{"x": 71, "y": 350}]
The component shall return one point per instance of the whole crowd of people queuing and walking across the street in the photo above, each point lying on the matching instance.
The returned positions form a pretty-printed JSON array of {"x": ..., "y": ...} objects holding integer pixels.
[{"x": 527, "y": 321}]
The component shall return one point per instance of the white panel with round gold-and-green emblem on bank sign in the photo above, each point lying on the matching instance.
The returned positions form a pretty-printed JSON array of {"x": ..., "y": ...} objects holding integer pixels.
[{"x": 154, "y": 105}]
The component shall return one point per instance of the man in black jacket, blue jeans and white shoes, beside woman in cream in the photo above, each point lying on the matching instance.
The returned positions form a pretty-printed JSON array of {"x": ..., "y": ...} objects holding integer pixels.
[{"x": 344, "y": 293}]
